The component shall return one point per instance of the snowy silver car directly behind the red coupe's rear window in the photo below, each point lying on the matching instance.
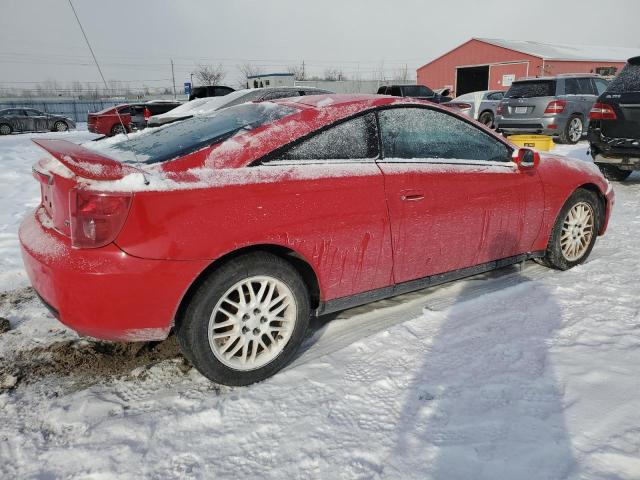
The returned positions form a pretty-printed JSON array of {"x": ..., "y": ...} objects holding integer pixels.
[{"x": 205, "y": 106}]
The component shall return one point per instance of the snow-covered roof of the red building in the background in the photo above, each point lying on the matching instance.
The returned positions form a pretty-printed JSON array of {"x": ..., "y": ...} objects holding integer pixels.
[{"x": 549, "y": 51}]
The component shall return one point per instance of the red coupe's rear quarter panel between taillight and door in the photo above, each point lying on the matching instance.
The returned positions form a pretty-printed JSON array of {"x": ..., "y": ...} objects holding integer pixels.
[{"x": 333, "y": 216}]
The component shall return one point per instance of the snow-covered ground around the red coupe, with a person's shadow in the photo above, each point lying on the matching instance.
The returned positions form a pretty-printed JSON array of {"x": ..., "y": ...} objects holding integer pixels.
[{"x": 524, "y": 373}]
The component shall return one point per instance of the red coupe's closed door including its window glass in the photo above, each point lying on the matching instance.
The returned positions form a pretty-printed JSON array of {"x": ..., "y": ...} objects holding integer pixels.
[{"x": 455, "y": 197}]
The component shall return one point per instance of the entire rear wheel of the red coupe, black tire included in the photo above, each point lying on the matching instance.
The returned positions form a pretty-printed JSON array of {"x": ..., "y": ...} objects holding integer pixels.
[{"x": 234, "y": 349}]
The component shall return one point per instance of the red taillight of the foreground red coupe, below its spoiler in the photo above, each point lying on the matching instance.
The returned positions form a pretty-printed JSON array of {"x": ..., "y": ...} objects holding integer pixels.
[{"x": 96, "y": 218}]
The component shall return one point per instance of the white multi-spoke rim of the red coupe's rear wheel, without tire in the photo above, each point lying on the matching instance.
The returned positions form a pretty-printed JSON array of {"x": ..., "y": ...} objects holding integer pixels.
[{"x": 252, "y": 323}]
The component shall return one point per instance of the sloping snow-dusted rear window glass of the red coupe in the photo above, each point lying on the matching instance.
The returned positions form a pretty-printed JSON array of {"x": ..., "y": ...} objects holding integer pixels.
[{"x": 179, "y": 139}]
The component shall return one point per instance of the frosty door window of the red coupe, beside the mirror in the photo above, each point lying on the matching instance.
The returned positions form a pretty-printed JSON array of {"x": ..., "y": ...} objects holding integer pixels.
[{"x": 412, "y": 133}]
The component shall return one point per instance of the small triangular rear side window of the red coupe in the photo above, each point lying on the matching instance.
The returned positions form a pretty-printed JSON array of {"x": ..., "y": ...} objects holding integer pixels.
[{"x": 351, "y": 140}]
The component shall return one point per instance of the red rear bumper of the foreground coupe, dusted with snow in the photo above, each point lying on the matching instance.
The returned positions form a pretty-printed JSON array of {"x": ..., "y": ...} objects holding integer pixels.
[{"x": 104, "y": 292}]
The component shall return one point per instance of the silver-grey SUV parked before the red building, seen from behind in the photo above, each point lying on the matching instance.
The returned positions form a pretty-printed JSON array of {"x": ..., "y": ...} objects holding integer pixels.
[{"x": 558, "y": 106}]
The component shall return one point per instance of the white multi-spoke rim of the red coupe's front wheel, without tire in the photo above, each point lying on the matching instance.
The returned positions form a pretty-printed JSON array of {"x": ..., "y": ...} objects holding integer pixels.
[{"x": 577, "y": 231}]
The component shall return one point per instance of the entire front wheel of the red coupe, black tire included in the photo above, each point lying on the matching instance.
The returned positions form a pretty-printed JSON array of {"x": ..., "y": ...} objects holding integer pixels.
[{"x": 581, "y": 231}]
